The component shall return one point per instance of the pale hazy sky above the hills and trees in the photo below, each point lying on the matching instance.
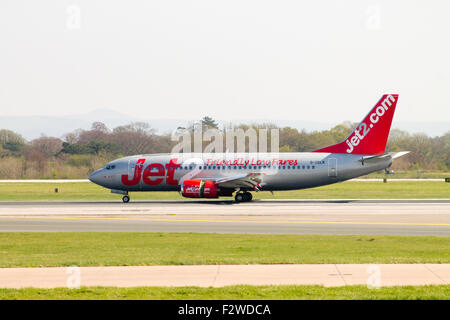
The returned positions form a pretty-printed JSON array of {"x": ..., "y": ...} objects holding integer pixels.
[{"x": 311, "y": 60}]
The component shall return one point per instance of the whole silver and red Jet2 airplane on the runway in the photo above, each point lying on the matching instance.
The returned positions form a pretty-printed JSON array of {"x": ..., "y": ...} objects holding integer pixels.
[{"x": 214, "y": 175}]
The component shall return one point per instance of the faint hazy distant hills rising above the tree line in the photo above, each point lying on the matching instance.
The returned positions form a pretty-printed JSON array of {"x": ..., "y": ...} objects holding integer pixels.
[{"x": 31, "y": 127}]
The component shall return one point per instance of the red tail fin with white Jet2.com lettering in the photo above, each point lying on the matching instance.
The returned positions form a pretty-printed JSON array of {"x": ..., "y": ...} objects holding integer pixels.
[{"x": 370, "y": 136}]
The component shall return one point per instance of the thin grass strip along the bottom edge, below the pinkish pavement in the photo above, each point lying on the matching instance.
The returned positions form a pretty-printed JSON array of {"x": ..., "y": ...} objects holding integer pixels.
[{"x": 233, "y": 292}]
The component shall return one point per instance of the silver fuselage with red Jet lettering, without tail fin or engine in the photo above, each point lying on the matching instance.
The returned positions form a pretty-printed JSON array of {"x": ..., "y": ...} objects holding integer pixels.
[{"x": 280, "y": 171}]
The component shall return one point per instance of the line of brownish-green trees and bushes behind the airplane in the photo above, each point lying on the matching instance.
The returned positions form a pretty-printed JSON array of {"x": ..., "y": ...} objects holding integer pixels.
[{"x": 78, "y": 153}]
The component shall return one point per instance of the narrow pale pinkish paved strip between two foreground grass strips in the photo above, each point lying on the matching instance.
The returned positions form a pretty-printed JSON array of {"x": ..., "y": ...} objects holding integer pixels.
[{"x": 224, "y": 275}]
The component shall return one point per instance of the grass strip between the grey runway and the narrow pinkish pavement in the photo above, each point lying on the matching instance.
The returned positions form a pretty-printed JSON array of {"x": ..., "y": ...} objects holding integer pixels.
[{"x": 117, "y": 249}]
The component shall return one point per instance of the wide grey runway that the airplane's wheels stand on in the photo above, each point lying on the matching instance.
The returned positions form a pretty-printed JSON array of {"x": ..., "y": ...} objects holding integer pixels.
[{"x": 429, "y": 217}]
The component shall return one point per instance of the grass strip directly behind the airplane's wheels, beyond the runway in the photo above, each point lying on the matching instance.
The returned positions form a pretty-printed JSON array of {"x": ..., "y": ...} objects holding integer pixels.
[{"x": 350, "y": 189}]
